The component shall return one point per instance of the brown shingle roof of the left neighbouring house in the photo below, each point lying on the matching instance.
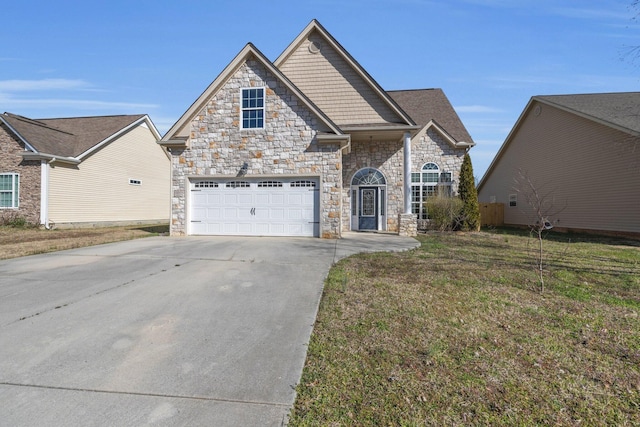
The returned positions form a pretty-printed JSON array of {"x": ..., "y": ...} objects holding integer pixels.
[{"x": 68, "y": 137}]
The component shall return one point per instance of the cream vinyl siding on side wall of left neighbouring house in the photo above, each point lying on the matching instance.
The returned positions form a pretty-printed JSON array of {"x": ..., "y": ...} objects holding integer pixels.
[{"x": 100, "y": 189}]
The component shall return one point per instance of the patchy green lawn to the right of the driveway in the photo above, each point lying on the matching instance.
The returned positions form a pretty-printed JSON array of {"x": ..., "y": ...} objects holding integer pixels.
[{"x": 457, "y": 333}]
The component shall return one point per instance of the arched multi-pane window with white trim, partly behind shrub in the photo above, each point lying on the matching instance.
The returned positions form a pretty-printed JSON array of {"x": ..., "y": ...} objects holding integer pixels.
[{"x": 429, "y": 182}]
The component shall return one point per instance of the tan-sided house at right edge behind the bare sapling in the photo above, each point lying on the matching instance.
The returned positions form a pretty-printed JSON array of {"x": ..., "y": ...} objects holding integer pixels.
[{"x": 582, "y": 155}]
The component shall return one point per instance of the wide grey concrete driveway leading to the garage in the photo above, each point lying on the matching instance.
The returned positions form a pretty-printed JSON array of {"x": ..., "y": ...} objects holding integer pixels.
[{"x": 164, "y": 331}]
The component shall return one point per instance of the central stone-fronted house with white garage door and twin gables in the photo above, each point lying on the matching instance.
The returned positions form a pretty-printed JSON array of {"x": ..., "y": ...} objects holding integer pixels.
[{"x": 309, "y": 145}]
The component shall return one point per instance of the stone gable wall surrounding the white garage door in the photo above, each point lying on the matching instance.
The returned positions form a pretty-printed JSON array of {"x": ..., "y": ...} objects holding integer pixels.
[{"x": 286, "y": 146}]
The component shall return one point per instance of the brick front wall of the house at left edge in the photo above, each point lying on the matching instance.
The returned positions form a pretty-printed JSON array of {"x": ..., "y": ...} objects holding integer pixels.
[{"x": 11, "y": 161}]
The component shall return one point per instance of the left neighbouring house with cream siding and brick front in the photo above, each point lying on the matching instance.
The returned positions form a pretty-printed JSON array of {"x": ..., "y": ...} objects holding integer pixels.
[{"x": 83, "y": 171}]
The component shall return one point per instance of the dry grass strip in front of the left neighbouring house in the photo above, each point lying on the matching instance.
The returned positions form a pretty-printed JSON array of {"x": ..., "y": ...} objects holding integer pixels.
[{"x": 21, "y": 241}]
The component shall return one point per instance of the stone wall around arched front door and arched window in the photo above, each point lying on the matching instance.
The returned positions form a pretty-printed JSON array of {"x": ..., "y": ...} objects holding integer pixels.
[{"x": 387, "y": 156}]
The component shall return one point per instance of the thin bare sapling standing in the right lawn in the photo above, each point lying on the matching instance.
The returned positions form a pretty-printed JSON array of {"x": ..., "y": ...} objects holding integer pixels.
[{"x": 543, "y": 213}]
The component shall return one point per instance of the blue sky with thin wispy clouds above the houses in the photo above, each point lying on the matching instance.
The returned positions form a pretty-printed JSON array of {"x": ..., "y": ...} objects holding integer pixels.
[{"x": 85, "y": 58}]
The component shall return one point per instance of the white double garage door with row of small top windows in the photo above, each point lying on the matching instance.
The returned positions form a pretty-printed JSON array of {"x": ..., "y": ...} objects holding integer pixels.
[{"x": 268, "y": 207}]
